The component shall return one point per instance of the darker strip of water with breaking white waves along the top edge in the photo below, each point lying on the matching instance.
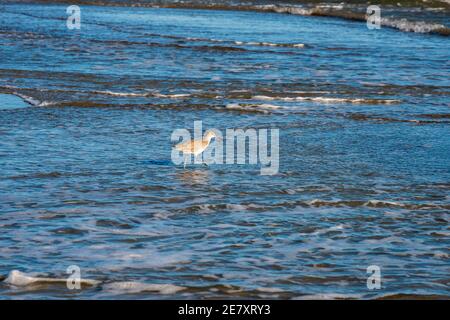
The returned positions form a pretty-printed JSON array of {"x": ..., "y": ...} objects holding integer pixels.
[{"x": 414, "y": 16}]
